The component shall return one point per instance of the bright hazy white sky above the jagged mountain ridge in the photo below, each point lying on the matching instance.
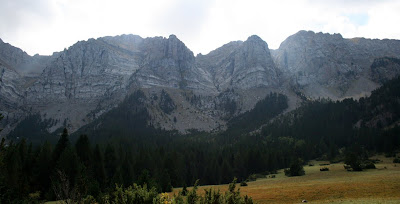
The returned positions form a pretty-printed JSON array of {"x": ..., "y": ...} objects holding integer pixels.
[{"x": 46, "y": 26}]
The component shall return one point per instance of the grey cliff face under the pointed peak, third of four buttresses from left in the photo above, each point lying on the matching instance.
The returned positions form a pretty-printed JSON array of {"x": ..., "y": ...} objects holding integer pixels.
[{"x": 241, "y": 65}]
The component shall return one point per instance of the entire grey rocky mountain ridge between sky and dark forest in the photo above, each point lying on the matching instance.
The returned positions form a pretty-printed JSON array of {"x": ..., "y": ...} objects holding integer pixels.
[{"x": 76, "y": 86}]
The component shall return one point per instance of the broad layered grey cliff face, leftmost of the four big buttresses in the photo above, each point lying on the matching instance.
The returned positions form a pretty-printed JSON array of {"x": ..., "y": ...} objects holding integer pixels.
[{"x": 87, "y": 70}]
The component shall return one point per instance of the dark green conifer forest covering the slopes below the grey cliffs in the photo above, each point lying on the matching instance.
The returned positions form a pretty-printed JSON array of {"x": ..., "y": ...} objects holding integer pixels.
[{"x": 161, "y": 160}]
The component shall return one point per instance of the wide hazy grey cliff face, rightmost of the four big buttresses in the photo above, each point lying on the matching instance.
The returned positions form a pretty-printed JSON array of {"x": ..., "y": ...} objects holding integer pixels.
[{"x": 325, "y": 65}]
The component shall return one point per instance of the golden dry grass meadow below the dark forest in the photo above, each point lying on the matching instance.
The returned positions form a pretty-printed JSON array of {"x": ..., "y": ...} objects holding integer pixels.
[{"x": 381, "y": 185}]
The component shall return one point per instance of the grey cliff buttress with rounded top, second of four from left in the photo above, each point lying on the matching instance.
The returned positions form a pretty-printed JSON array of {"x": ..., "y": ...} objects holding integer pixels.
[{"x": 167, "y": 62}]
